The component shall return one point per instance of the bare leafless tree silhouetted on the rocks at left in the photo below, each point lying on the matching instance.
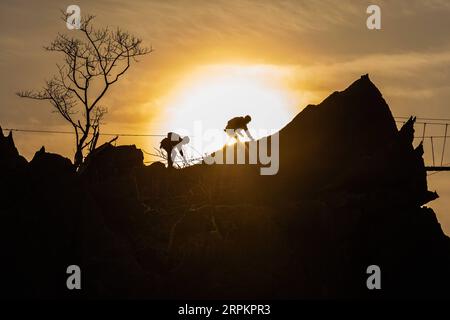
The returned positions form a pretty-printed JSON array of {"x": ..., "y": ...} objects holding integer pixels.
[{"x": 92, "y": 63}]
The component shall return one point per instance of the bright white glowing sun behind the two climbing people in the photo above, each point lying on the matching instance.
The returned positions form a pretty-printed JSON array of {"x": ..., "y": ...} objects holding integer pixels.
[{"x": 204, "y": 100}]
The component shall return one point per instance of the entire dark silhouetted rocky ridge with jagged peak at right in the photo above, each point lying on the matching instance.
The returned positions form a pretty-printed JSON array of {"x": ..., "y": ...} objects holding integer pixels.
[{"x": 349, "y": 194}]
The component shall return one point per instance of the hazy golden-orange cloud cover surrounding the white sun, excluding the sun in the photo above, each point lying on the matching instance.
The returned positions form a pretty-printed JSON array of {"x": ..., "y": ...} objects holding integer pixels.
[{"x": 324, "y": 45}]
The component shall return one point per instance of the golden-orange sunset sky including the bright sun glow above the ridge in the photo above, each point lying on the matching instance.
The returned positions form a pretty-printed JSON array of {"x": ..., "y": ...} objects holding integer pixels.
[{"x": 285, "y": 54}]
